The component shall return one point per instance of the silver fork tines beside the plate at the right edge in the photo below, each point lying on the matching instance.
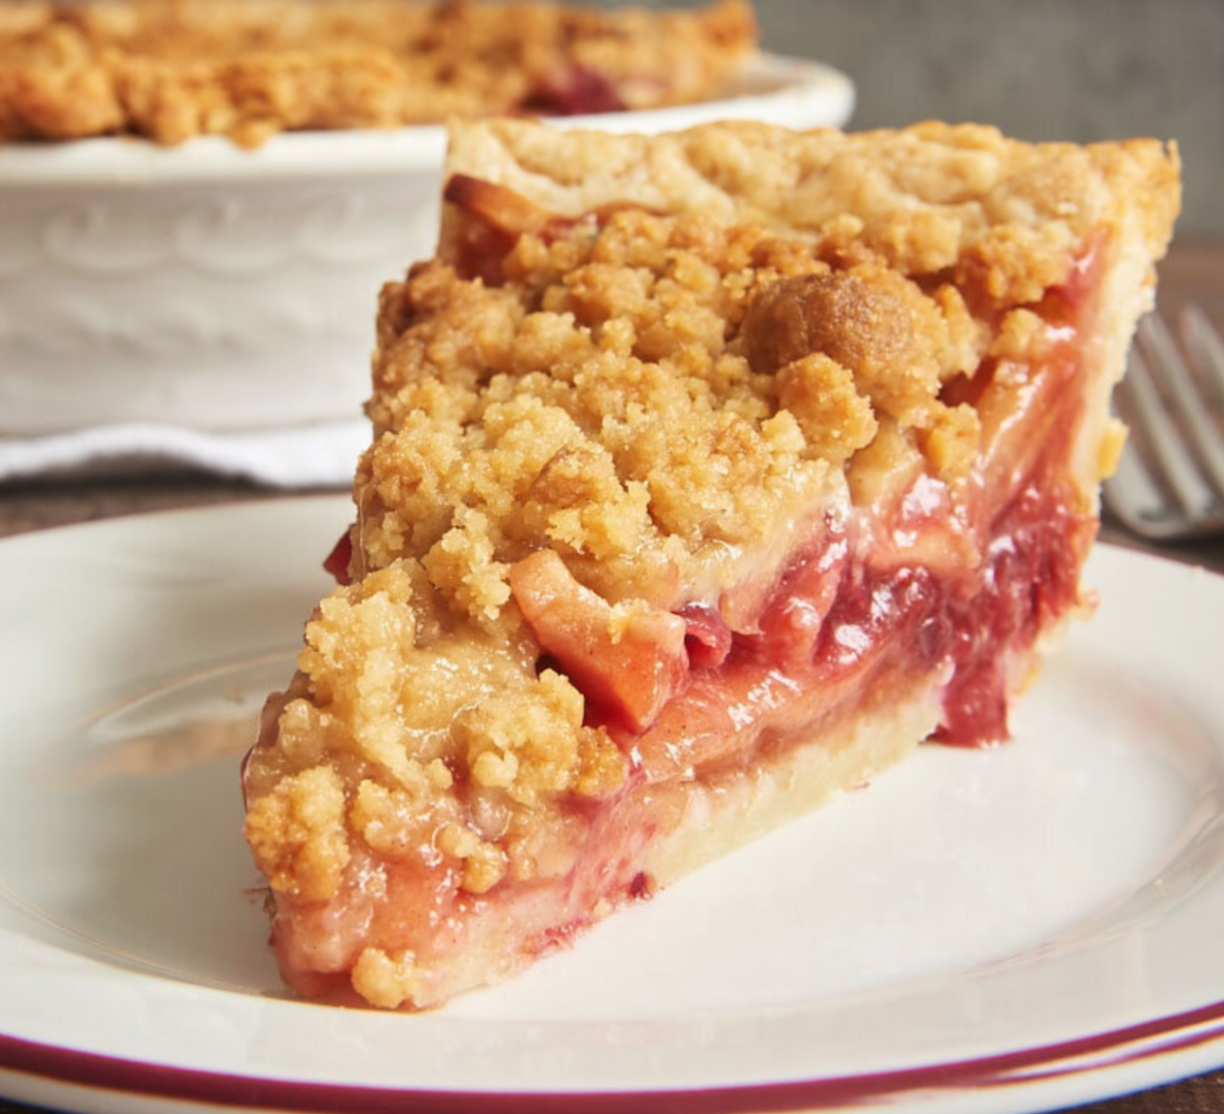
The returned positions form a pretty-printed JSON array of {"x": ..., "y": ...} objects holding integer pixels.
[{"x": 1170, "y": 484}]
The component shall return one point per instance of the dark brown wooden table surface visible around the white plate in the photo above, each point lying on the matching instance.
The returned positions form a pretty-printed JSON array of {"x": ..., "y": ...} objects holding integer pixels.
[{"x": 1194, "y": 271}]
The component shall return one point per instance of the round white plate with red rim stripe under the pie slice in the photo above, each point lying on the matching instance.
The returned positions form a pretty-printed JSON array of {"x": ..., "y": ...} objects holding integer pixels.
[{"x": 1002, "y": 931}]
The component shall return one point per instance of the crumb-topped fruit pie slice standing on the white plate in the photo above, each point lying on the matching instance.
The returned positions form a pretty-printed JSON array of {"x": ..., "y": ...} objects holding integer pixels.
[{"x": 713, "y": 473}]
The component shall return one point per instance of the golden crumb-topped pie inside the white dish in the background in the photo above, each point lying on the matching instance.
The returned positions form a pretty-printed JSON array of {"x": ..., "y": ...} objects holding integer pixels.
[{"x": 176, "y": 69}]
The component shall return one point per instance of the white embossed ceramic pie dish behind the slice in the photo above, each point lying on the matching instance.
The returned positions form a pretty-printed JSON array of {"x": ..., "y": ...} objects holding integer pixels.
[{"x": 221, "y": 290}]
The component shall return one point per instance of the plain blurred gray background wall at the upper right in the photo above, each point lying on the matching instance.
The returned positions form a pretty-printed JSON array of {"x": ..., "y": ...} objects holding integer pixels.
[{"x": 1039, "y": 69}]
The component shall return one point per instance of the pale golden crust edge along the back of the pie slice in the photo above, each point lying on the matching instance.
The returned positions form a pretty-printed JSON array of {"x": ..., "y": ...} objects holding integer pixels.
[{"x": 928, "y": 199}]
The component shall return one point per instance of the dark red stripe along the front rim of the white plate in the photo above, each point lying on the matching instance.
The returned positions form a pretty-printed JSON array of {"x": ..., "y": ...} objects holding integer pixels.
[{"x": 1183, "y": 1031}]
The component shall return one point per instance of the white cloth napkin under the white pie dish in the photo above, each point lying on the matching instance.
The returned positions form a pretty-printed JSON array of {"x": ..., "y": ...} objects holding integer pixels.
[{"x": 314, "y": 456}]
